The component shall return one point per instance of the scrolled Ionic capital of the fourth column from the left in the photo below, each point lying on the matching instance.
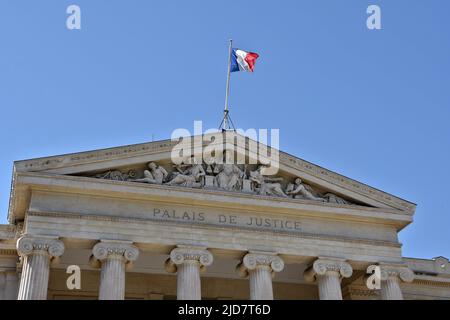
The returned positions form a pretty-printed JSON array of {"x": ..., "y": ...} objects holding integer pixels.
[{"x": 254, "y": 260}]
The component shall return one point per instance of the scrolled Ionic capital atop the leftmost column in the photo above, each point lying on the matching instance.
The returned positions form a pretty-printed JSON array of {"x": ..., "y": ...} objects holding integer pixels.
[{"x": 47, "y": 245}]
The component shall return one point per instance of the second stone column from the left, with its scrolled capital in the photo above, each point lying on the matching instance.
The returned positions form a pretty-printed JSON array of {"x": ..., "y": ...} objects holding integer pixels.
[{"x": 113, "y": 257}]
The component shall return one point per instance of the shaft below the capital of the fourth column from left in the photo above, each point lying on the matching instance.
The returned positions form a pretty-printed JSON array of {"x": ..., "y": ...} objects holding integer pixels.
[{"x": 261, "y": 283}]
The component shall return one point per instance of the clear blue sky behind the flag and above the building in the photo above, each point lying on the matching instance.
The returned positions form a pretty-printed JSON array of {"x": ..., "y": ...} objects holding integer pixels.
[{"x": 371, "y": 105}]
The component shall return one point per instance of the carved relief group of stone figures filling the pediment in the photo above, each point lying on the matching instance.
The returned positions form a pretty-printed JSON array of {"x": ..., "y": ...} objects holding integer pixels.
[{"x": 226, "y": 176}]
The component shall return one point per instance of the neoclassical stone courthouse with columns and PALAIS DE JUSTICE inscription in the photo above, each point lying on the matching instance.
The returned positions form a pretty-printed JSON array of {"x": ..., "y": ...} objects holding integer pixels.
[{"x": 140, "y": 227}]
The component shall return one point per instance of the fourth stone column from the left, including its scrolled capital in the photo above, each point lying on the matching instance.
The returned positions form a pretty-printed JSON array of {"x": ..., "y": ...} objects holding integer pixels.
[{"x": 260, "y": 268}]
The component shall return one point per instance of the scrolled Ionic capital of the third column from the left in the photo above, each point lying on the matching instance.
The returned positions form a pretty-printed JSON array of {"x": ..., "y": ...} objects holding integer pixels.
[{"x": 182, "y": 255}]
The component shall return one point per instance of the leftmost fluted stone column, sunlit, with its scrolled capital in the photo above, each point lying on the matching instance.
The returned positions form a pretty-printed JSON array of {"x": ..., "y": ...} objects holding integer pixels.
[{"x": 37, "y": 253}]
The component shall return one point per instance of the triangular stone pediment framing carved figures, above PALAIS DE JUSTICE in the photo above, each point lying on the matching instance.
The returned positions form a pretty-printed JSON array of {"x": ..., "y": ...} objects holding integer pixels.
[{"x": 152, "y": 164}]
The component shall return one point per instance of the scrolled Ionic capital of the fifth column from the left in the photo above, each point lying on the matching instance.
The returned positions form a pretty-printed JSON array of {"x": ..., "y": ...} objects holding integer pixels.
[{"x": 323, "y": 266}]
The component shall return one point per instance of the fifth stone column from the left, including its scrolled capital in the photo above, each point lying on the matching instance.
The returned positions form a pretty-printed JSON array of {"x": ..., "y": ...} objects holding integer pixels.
[{"x": 328, "y": 272}]
